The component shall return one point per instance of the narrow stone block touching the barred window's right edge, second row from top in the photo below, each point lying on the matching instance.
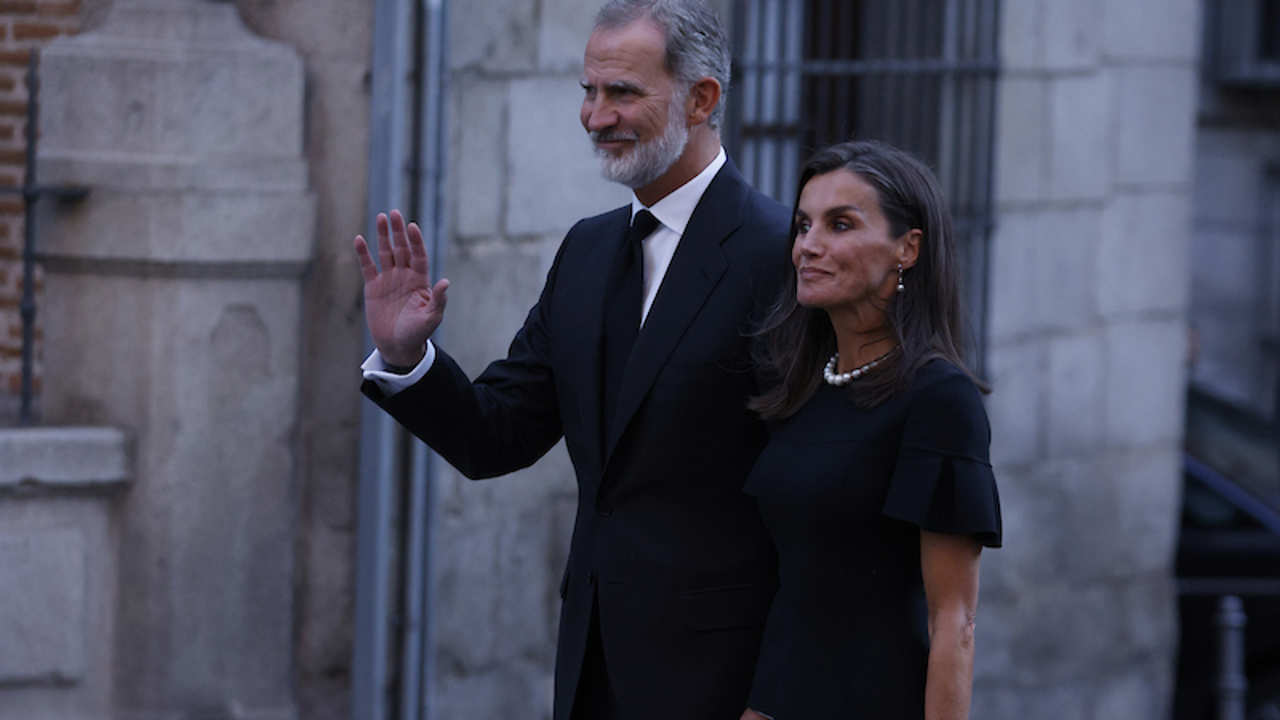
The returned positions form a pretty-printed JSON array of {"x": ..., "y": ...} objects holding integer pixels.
[{"x": 1022, "y": 143}]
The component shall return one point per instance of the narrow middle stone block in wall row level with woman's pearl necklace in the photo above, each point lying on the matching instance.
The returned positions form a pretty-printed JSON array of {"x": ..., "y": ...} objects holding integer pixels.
[{"x": 1077, "y": 380}]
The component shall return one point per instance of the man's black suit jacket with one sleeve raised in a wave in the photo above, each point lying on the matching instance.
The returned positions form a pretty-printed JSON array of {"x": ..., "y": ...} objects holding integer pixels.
[{"x": 665, "y": 541}]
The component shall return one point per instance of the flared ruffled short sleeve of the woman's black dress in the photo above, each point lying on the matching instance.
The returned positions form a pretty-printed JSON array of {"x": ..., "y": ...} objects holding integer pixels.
[{"x": 943, "y": 480}]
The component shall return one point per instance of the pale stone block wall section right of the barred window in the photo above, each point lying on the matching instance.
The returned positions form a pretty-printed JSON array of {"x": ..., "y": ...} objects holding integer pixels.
[{"x": 1089, "y": 357}]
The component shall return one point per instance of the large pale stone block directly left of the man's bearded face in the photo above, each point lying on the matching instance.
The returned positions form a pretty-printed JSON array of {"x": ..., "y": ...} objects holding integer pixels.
[{"x": 555, "y": 180}]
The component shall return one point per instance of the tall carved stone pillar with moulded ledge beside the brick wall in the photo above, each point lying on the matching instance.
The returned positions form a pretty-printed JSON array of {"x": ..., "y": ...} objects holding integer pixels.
[{"x": 172, "y": 311}]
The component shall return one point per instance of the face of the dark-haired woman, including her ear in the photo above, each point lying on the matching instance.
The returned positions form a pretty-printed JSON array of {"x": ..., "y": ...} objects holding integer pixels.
[{"x": 844, "y": 254}]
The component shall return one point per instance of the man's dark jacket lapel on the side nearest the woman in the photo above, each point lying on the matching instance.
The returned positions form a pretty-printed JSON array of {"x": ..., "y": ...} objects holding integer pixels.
[{"x": 694, "y": 272}]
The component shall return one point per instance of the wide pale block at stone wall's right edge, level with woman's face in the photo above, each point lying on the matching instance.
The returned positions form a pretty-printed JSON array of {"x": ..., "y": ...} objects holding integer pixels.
[{"x": 1144, "y": 257}]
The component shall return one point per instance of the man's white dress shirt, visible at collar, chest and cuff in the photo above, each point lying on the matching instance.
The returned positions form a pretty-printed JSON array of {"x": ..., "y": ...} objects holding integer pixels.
[{"x": 673, "y": 213}]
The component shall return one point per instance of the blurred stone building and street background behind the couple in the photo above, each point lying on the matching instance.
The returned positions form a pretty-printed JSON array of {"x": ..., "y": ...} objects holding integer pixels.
[{"x": 200, "y": 518}]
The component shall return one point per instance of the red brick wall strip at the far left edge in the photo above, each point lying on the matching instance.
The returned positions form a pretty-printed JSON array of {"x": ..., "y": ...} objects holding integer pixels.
[{"x": 25, "y": 25}]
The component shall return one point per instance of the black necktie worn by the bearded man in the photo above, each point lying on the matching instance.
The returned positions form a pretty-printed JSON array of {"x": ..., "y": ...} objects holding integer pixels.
[{"x": 623, "y": 313}]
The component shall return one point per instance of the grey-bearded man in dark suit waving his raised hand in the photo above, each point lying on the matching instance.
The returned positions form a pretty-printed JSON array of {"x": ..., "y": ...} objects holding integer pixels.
[{"x": 638, "y": 356}]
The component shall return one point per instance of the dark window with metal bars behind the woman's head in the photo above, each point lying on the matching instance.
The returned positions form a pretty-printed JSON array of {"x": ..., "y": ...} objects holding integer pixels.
[{"x": 920, "y": 75}]
